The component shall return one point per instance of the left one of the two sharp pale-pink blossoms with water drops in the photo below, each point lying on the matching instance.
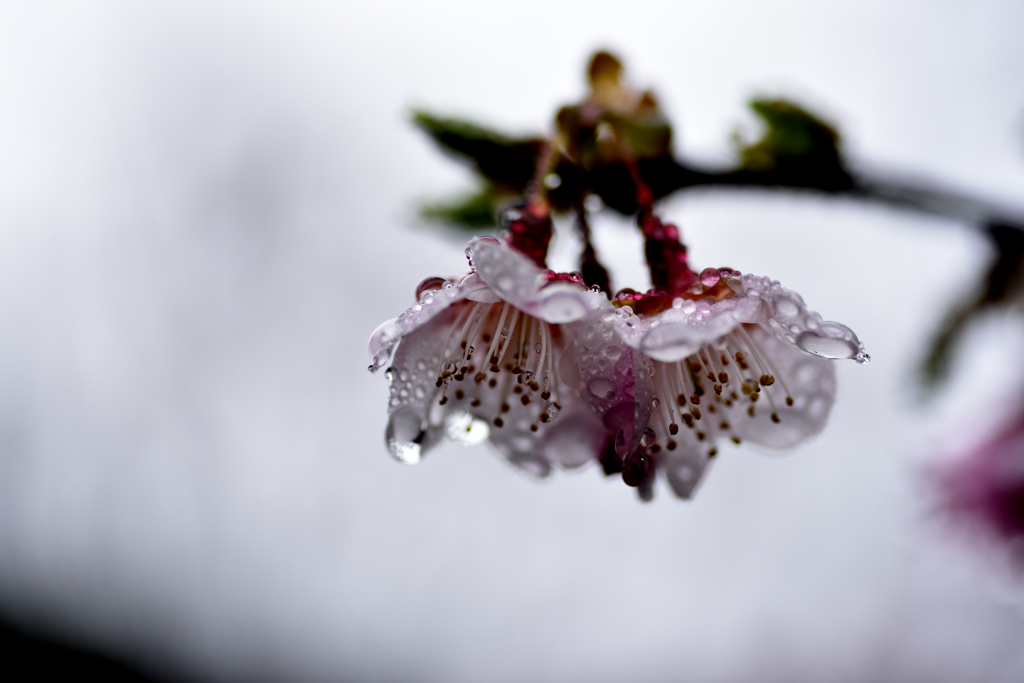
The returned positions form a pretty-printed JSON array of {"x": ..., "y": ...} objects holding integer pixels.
[{"x": 479, "y": 359}]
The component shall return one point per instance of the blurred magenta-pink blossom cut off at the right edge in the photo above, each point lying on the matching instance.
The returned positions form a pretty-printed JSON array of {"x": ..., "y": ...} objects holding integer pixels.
[{"x": 984, "y": 493}]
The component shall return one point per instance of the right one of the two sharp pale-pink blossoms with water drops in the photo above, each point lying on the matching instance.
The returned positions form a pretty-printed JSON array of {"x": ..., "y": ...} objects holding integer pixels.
[{"x": 734, "y": 358}]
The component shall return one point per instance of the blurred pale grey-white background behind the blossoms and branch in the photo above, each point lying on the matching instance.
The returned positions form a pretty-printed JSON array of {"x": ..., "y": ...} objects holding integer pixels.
[{"x": 206, "y": 209}]
